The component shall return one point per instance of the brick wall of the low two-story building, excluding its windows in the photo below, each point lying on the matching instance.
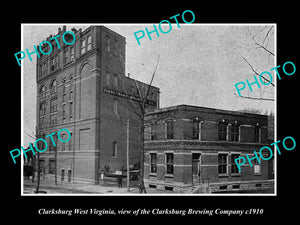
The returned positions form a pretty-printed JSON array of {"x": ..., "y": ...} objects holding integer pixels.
[{"x": 208, "y": 146}]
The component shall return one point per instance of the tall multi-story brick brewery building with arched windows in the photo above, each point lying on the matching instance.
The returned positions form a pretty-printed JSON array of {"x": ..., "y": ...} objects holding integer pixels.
[{"x": 83, "y": 87}]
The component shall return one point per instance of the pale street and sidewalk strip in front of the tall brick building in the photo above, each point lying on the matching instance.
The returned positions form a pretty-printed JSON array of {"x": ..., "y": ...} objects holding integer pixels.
[{"x": 64, "y": 187}]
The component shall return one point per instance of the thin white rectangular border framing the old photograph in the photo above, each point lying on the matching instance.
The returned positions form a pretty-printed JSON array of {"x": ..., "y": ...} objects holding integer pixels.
[{"x": 148, "y": 24}]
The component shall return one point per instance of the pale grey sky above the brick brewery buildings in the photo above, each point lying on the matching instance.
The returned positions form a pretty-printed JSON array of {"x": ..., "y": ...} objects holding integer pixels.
[{"x": 199, "y": 64}]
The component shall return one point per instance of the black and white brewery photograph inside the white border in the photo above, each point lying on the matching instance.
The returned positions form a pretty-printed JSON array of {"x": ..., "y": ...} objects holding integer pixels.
[{"x": 161, "y": 116}]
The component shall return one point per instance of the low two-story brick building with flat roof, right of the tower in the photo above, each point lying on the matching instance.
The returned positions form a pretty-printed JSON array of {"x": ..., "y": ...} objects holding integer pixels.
[{"x": 190, "y": 146}]
